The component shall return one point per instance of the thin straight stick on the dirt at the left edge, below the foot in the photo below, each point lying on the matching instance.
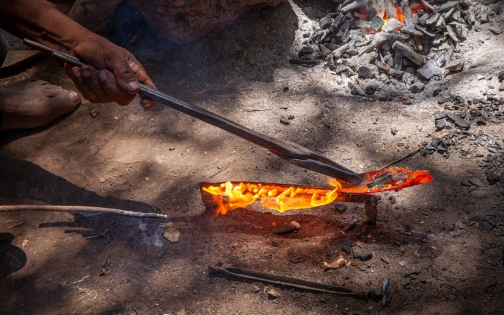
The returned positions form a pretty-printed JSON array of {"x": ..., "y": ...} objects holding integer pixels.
[{"x": 81, "y": 209}]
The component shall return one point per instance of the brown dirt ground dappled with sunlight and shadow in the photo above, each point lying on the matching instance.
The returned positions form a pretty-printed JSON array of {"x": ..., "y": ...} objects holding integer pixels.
[{"x": 438, "y": 258}]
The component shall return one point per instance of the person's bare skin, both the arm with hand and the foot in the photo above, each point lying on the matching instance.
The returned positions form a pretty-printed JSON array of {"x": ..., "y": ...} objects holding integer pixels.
[{"x": 42, "y": 22}]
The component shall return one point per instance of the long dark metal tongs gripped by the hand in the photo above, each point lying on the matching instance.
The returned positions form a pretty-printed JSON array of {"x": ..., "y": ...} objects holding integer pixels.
[{"x": 289, "y": 151}]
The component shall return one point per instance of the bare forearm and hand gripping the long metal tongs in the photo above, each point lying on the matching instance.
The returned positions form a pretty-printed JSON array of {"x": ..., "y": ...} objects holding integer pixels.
[{"x": 41, "y": 21}]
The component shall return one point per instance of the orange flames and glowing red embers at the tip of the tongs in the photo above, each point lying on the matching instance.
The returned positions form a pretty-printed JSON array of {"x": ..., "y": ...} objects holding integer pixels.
[{"x": 281, "y": 197}]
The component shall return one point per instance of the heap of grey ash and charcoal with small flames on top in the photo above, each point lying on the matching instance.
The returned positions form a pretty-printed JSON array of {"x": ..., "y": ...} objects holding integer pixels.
[{"x": 394, "y": 41}]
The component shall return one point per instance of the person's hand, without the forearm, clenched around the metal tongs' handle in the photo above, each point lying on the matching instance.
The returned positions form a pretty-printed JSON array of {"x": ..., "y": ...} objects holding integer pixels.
[{"x": 117, "y": 82}]
